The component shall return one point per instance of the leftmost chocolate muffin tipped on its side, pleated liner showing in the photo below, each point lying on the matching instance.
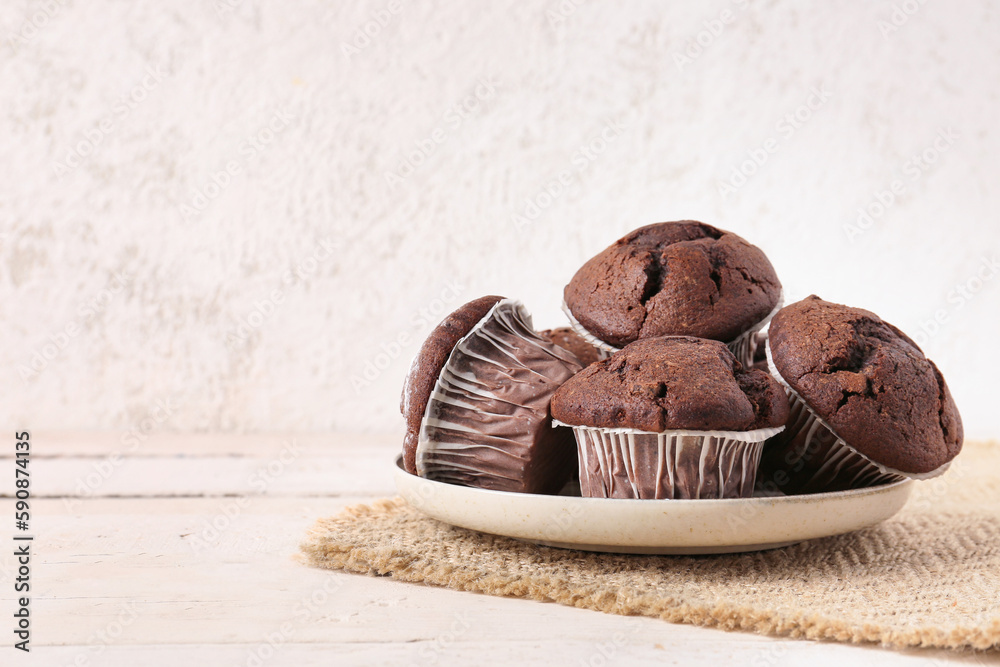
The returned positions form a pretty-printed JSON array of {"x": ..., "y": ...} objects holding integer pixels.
[{"x": 476, "y": 402}]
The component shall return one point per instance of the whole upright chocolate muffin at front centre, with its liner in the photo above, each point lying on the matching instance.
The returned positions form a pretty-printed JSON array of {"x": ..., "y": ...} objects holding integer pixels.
[{"x": 670, "y": 417}]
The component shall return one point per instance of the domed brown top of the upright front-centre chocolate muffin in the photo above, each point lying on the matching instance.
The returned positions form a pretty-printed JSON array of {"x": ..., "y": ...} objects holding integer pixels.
[{"x": 671, "y": 382}]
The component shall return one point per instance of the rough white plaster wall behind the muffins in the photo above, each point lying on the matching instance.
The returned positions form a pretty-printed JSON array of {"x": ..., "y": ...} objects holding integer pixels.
[{"x": 216, "y": 214}]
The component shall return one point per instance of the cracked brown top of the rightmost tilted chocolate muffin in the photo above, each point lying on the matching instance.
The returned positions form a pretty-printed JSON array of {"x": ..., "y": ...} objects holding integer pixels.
[{"x": 869, "y": 381}]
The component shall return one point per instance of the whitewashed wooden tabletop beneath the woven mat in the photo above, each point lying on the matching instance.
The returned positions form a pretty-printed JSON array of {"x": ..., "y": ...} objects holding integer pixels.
[{"x": 181, "y": 550}]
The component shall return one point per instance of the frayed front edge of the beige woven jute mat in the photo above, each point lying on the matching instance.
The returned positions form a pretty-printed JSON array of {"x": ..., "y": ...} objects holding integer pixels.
[{"x": 322, "y": 551}]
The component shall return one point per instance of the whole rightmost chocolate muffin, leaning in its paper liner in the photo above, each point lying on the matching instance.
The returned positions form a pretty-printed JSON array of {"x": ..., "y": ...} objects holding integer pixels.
[{"x": 867, "y": 406}]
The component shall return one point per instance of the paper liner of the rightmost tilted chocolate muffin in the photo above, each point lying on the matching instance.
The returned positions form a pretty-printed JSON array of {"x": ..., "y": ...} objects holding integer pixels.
[{"x": 810, "y": 457}]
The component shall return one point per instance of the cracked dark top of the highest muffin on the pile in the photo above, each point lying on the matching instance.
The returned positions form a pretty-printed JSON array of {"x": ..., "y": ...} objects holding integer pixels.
[{"x": 674, "y": 278}]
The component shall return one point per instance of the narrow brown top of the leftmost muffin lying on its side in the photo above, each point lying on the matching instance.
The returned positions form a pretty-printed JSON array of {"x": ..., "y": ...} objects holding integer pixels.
[{"x": 427, "y": 365}]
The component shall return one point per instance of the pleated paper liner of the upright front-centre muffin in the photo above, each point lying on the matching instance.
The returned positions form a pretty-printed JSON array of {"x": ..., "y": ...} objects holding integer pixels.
[{"x": 679, "y": 464}]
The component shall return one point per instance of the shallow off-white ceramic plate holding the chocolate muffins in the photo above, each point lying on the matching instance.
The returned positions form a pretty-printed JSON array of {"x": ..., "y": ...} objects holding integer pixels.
[{"x": 653, "y": 526}]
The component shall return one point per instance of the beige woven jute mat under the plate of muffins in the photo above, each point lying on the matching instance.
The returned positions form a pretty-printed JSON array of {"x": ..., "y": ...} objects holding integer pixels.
[{"x": 930, "y": 576}]
